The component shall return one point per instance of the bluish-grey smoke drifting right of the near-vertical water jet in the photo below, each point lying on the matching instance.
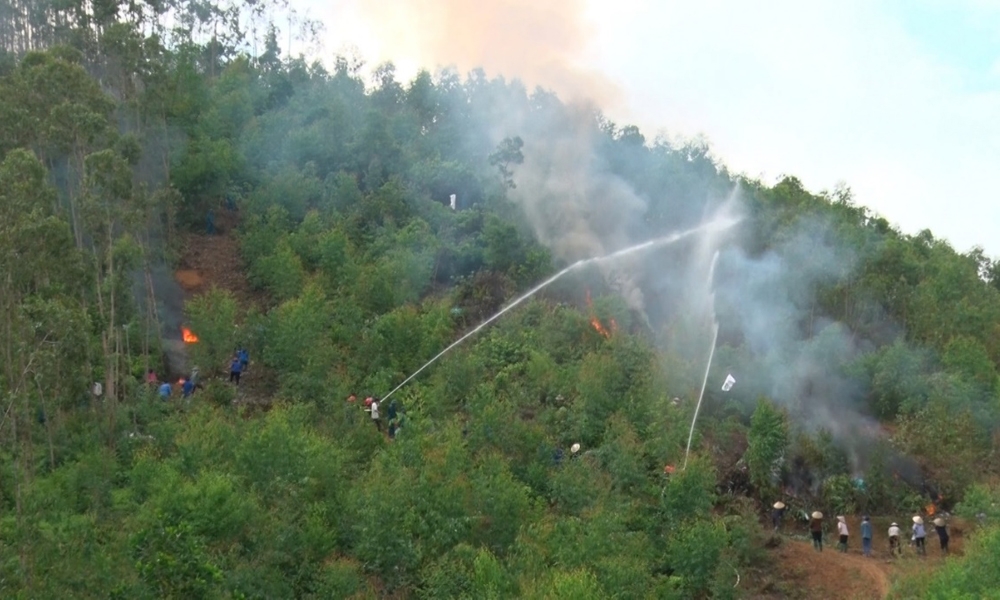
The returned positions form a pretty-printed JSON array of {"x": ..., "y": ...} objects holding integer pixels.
[{"x": 791, "y": 354}]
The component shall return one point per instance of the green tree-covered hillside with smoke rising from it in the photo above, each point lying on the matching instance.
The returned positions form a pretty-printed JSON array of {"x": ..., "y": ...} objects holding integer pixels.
[{"x": 378, "y": 221}]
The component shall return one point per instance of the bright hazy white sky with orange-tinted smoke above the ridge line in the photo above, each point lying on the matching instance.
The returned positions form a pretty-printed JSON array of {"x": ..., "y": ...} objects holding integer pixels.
[{"x": 899, "y": 99}]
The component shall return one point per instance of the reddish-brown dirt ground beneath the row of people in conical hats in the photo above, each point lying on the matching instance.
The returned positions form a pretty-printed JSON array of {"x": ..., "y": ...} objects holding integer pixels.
[{"x": 802, "y": 572}]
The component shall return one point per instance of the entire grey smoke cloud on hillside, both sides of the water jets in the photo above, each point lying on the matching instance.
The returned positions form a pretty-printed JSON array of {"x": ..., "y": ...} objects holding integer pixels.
[{"x": 767, "y": 304}]
